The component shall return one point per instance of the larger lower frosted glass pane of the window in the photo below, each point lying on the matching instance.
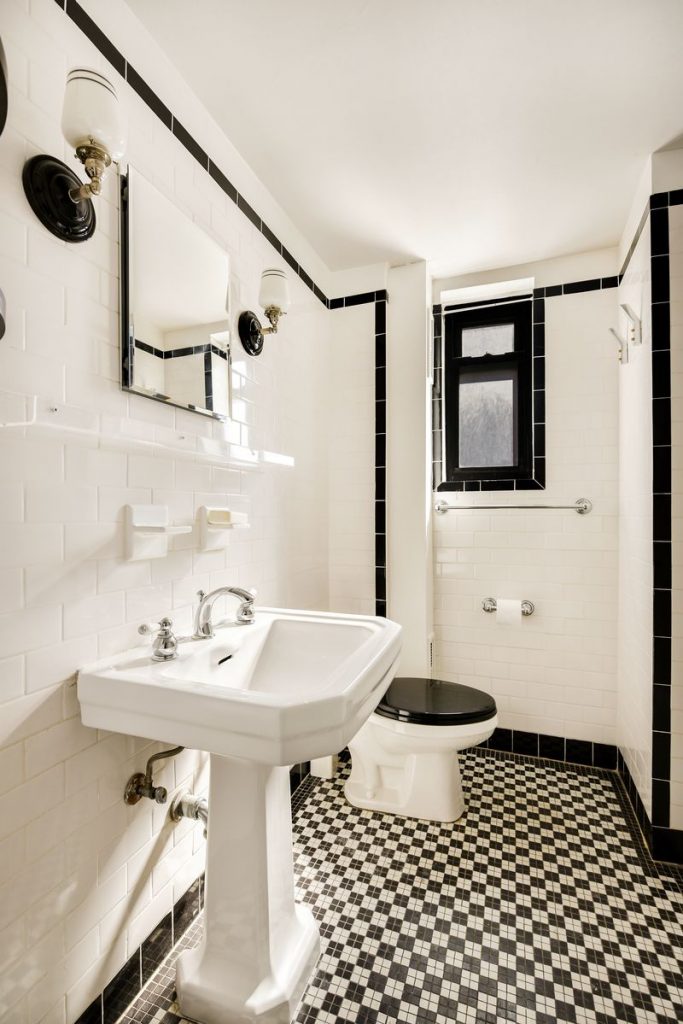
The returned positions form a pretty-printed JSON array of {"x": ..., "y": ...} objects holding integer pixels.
[{"x": 487, "y": 433}]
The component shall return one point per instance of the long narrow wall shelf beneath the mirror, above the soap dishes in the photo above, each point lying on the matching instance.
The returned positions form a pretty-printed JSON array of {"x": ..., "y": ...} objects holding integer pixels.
[{"x": 31, "y": 416}]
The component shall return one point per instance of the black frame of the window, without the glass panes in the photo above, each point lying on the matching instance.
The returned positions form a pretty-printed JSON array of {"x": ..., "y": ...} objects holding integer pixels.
[{"x": 520, "y": 313}]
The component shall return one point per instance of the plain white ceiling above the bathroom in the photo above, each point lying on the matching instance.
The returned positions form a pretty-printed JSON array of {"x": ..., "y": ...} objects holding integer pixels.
[{"x": 472, "y": 134}]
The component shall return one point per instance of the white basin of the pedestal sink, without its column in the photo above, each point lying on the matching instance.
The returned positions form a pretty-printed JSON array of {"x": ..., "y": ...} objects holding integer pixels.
[{"x": 291, "y": 687}]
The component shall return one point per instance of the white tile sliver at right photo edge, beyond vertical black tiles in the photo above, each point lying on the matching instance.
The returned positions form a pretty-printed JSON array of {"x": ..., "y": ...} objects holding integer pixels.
[{"x": 676, "y": 272}]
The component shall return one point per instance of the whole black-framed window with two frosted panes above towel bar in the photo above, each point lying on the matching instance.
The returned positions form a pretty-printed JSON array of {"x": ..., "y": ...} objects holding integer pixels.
[{"x": 488, "y": 397}]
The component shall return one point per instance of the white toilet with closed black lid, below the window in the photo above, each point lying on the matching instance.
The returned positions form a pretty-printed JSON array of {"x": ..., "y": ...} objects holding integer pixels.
[{"x": 405, "y": 758}]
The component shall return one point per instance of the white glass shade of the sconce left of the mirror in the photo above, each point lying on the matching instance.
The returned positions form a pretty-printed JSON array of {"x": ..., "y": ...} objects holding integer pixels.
[{"x": 92, "y": 113}]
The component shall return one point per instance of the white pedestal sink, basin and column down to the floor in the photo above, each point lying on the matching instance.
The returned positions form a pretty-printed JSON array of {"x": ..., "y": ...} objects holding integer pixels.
[{"x": 292, "y": 687}]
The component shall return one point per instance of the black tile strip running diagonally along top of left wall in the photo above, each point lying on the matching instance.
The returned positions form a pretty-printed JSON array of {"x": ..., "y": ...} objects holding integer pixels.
[{"x": 119, "y": 63}]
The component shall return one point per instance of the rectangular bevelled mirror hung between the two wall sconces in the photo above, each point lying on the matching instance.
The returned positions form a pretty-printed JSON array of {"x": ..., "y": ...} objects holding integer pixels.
[{"x": 175, "y": 305}]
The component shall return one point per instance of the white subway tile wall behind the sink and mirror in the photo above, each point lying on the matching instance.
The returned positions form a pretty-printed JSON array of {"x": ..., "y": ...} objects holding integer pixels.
[{"x": 83, "y": 879}]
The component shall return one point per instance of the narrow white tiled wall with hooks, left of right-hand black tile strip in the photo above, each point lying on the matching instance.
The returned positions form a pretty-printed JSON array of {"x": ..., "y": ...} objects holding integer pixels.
[{"x": 634, "y": 724}]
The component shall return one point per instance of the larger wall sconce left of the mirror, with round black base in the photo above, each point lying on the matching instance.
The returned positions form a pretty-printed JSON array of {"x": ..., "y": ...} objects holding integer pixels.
[{"x": 93, "y": 122}]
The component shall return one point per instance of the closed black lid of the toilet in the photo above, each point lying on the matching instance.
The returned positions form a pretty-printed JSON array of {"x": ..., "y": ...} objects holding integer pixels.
[{"x": 435, "y": 702}]
